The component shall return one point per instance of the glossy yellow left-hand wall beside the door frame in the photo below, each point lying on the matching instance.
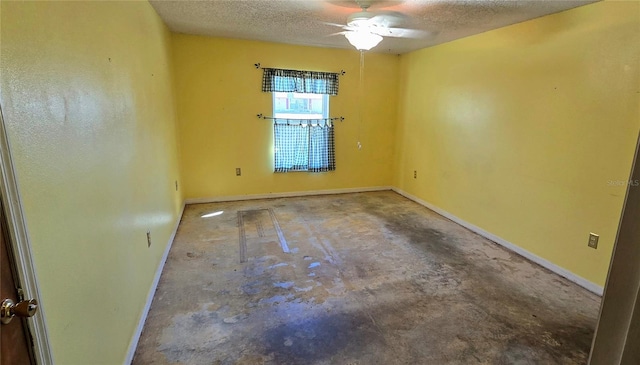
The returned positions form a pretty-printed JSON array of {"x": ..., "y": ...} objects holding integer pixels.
[{"x": 87, "y": 98}]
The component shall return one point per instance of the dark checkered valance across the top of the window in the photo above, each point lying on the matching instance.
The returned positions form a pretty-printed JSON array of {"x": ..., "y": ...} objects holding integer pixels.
[{"x": 312, "y": 82}]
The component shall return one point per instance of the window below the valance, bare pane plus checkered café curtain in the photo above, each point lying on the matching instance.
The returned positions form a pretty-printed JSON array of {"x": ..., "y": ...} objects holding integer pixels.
[{"x": 303, "y": 137}]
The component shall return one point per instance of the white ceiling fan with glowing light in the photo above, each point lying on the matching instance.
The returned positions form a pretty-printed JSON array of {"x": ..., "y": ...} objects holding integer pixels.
[{"x": 365, "y": 29}]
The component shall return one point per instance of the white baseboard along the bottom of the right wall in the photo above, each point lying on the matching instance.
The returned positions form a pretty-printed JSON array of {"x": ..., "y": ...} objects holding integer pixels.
[{"x": 594, "y": 288}]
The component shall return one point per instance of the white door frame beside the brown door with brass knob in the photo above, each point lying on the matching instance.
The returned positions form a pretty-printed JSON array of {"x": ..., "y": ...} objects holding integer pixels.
[{"x": 20, "y": 244}]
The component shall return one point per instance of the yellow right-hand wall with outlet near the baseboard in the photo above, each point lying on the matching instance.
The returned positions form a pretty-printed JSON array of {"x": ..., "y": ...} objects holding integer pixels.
[{"x": 521, "y": 130}]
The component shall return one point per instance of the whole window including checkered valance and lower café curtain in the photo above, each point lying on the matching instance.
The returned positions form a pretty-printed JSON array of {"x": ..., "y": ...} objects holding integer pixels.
[{"x": 302, "y": 129}]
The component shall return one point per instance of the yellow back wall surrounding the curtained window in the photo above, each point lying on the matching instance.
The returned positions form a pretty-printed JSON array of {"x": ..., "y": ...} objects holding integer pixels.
[{"x": 219, "y": 94}]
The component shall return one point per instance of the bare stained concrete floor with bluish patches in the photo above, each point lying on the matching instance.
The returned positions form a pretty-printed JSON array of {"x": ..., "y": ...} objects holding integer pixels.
[{"x": 371, "y": 278}]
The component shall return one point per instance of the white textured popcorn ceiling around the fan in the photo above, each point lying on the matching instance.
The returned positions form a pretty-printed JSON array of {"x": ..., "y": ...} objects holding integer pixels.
[{"x": 303, "y": 22}]
